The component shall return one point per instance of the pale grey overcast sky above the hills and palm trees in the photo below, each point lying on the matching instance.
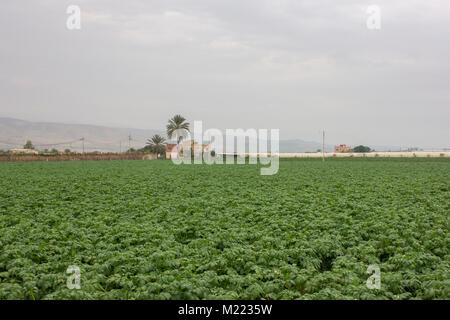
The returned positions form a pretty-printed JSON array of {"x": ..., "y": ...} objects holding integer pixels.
[{"x": 299, "y": 66}]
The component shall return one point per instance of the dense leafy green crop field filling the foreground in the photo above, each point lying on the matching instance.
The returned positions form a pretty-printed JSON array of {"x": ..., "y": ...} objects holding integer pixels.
[{"x": 154, "y": 230}]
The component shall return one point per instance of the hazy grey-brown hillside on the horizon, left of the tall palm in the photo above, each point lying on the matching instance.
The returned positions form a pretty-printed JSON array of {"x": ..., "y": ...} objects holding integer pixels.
[{"x": 14, "y": 133}]
